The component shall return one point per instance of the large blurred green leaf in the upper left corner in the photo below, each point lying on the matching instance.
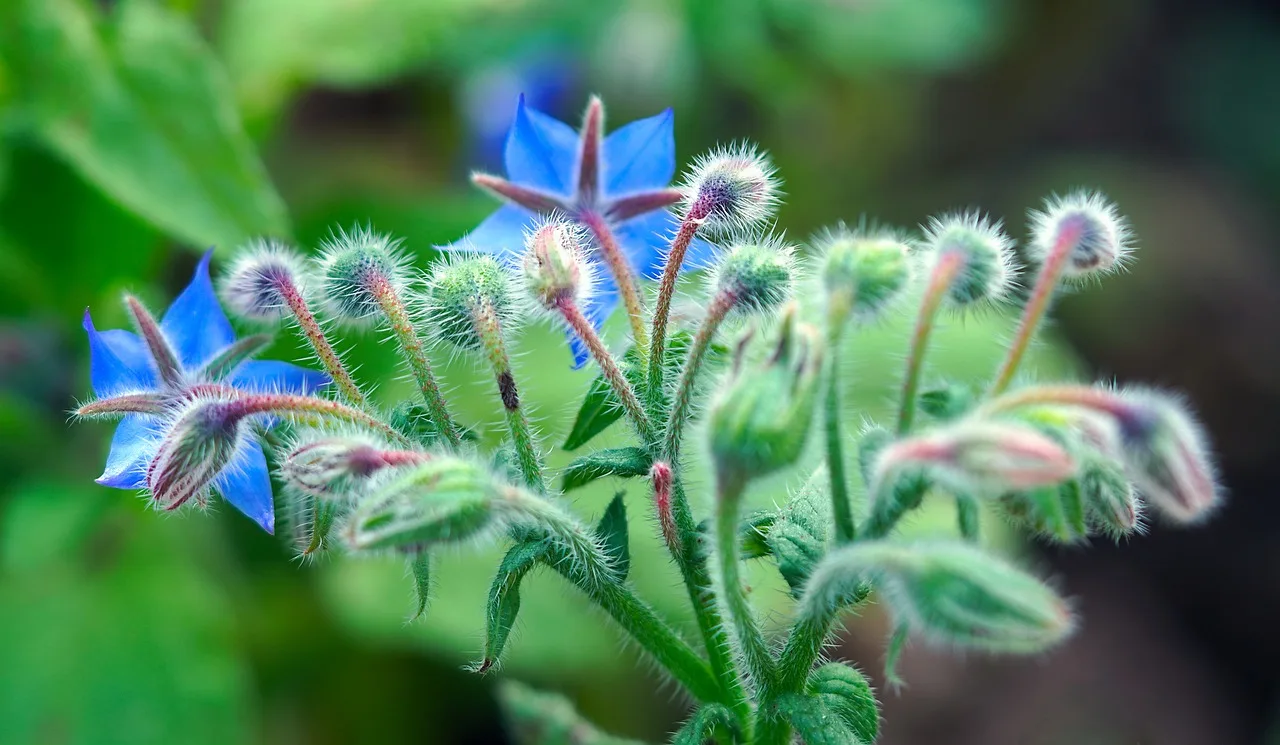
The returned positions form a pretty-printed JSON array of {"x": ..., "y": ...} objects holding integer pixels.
[{"x": 139, "y": 106}]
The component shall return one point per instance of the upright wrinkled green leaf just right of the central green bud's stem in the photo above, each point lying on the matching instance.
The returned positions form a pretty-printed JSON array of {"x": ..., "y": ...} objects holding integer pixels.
[{"x": 801, "y": 534}]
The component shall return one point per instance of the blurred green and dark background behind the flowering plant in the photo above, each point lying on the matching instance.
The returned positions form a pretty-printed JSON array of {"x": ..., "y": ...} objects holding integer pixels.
[{"x": 135, "y": 134}]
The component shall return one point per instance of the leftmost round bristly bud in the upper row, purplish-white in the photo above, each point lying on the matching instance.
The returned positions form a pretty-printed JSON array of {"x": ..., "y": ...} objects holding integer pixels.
[{"x": 258, "y": 281}]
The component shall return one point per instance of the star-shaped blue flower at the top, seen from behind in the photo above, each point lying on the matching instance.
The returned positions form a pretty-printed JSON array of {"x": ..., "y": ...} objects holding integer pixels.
[{"x": 620, "y": 182}]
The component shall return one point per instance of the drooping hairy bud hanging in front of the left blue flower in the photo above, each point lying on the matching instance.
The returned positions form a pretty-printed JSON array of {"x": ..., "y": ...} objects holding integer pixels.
[{"x": 200, "y": 441}]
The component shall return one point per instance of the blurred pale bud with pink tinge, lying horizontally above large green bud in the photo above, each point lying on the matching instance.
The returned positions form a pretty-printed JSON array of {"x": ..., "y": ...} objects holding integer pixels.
[{"x": 977, "y": 458}]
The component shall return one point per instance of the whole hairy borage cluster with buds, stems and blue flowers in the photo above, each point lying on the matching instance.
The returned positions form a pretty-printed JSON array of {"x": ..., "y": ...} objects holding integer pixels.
[{"x": 588, "y": 221}]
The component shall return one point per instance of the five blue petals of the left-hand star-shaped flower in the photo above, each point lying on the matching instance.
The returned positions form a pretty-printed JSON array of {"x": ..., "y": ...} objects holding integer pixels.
[{"x": 199, "y": 333}]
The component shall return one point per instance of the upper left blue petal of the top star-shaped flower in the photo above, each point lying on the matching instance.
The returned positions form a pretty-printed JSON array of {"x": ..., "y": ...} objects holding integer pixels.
[{"x": 541, "y": 152}]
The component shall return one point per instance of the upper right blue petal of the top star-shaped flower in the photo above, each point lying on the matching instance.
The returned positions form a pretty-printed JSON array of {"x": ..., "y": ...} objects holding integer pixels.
[{"x": 641, "y": 156}]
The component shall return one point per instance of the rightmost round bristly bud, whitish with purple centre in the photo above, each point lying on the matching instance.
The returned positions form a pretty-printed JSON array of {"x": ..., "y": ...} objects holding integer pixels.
[{"x": 1098, "y": 235}]
